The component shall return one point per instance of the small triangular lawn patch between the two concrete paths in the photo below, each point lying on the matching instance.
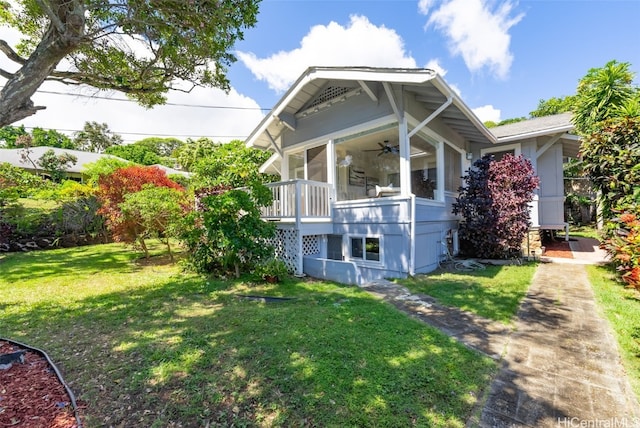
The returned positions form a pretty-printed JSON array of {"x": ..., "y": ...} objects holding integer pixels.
[{"x": 494, "y": 293}]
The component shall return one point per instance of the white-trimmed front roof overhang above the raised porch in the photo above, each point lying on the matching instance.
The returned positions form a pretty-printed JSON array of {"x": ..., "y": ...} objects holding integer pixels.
[{"x": 320, "y": 88}]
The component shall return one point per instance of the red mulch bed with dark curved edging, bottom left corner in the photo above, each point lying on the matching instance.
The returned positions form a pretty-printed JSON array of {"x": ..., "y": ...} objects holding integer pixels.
[{"x": 31, "y": 394}]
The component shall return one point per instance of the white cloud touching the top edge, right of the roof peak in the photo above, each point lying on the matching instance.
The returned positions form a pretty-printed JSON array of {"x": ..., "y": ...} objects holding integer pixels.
[{"x": 476, "y": 31}]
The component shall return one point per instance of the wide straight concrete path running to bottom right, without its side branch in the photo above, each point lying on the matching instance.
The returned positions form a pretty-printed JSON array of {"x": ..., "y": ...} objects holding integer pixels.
[{"x": 562, "y": 367}]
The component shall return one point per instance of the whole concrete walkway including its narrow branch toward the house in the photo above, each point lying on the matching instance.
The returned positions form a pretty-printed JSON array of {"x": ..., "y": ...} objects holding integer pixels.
[{"x": 560, "y": 364}]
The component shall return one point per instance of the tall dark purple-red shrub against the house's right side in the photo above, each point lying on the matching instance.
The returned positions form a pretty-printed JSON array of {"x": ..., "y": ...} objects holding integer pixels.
[{"x": 494, "y": 204}]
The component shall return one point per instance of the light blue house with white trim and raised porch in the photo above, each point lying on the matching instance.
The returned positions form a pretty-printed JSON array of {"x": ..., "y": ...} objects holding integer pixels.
[{"x": 371, "y": 160}]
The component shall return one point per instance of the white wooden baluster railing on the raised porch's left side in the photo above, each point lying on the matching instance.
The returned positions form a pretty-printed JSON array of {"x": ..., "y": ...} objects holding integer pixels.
[{"x": 299, "y": 199}]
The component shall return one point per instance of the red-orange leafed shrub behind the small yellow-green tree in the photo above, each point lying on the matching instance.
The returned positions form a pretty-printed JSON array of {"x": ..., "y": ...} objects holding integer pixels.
[{"x": 112, "y": 190}]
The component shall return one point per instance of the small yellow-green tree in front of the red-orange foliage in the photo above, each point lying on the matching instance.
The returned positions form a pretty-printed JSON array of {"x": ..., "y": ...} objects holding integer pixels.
[{"x": 156, "y": 212}]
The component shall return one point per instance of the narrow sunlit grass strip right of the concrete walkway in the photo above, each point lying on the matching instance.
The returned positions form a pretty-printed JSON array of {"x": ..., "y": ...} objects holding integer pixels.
[{"x": 621, "y": 306}]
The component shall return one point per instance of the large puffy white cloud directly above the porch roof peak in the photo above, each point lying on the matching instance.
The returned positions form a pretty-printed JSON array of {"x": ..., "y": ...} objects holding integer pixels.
[{"x": 360, "y": 43}]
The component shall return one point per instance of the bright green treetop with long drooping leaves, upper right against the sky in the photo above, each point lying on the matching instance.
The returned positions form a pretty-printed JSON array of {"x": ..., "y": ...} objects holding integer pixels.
[{"x": 603, "y": 93}]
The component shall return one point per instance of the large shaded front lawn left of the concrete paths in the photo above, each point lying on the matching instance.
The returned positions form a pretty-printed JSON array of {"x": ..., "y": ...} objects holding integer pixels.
[{"x": 145, "y": 344}]
